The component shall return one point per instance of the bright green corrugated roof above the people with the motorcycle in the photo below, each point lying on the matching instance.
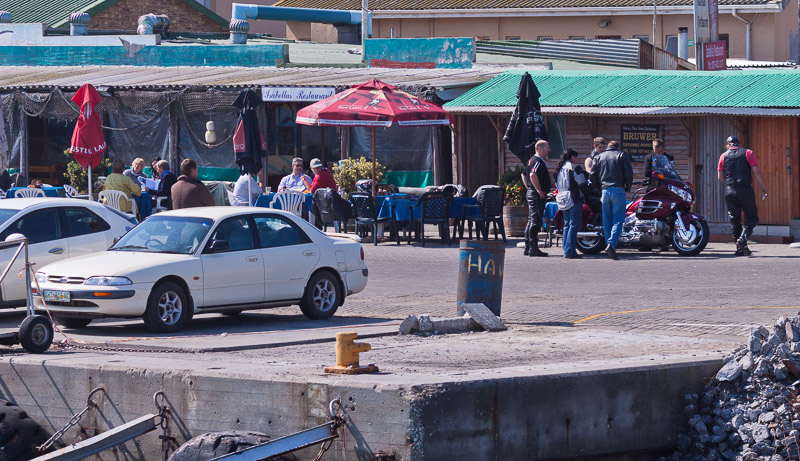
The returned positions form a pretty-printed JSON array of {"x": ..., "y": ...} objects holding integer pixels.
[{"x": 757, "y": 88}]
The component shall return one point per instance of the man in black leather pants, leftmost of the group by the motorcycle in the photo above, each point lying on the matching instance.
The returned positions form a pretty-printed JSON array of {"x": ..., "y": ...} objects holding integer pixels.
[{"x": 537, "y": 179}]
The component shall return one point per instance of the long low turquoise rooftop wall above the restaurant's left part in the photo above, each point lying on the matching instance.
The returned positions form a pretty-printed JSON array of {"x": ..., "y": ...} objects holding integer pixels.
[{"x": 162, "y": 55}]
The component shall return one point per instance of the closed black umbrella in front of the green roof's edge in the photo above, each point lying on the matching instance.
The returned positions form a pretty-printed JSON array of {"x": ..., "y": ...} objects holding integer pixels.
[{"x": 527, "y": 124}]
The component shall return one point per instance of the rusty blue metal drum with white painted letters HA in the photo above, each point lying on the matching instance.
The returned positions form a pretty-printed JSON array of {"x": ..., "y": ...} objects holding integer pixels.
[{"x": 480, "y": 274}]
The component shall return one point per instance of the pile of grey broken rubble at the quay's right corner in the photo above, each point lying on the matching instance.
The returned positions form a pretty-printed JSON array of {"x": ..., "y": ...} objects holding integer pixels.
[{"x": 751, "y": 410}]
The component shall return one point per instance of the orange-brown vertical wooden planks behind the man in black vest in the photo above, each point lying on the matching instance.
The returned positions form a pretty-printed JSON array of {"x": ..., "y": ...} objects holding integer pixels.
[{"x": 774, "y": 141}]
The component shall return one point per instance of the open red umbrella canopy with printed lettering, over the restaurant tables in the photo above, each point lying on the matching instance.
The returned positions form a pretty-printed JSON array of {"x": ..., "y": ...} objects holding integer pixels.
[{"x": 373, "y": 103}]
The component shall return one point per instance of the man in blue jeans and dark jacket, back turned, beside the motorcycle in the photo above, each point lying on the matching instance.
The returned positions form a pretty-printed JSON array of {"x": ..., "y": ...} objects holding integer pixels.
[{"x": 612, "y": 171}]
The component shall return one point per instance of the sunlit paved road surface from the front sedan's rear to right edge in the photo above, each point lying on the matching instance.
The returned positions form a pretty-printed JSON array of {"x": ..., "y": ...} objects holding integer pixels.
[{"x": 713, "y": 293}]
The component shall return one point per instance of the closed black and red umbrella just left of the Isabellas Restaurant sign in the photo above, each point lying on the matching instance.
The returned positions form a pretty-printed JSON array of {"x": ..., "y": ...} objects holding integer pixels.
[{"x": 248, "y": 142}]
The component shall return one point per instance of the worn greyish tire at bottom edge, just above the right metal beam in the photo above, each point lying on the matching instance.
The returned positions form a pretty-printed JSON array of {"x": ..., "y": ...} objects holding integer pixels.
[{"x": 214, "y": 444}]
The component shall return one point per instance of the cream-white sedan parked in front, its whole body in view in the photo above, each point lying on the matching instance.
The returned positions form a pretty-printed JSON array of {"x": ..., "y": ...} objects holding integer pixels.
[{"x": 213, "y": 259}]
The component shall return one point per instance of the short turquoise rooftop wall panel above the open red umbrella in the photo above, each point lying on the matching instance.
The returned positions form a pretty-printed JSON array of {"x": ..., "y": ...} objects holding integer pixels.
[{"x": 439, "y": 53}]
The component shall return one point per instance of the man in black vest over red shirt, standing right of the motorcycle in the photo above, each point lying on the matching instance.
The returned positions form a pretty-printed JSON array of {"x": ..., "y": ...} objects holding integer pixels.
[{"x": 736, "y": 169}]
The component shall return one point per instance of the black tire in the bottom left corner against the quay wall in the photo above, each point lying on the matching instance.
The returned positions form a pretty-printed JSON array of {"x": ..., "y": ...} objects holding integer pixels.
[{"x": 19, "y": 434}]
